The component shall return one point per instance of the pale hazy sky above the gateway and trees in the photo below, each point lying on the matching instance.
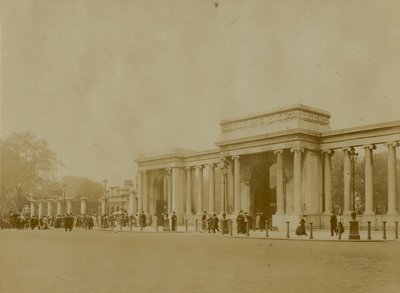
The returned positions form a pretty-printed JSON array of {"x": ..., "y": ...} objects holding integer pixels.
[{"x": 104, "y": 81}]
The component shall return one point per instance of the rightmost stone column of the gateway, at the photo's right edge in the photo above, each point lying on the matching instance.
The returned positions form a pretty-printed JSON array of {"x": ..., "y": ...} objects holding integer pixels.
[{"x": 392, "y": 188}]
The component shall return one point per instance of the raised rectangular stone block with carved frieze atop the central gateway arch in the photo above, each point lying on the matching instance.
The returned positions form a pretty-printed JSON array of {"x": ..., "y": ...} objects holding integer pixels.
[{"x": 288, "y": 118}]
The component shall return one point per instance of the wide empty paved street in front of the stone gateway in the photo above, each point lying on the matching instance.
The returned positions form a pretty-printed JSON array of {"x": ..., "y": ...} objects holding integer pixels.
[{"x": 96, "y": 261}]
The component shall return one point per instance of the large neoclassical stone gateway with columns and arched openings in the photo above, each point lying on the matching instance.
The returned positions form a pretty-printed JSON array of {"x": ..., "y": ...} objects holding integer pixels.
[{"x": 276, "y": 162}]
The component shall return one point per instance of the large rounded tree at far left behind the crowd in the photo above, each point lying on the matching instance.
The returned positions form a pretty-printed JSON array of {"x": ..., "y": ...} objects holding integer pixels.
[{"x": 27, "y": 167}]
